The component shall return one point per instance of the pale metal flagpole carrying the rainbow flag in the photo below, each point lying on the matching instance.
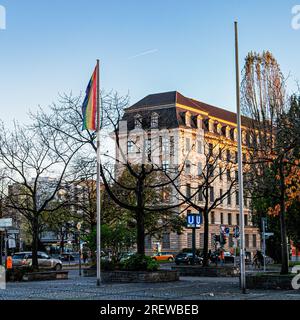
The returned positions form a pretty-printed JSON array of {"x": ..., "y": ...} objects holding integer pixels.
[{"x": 98, "y": 182}]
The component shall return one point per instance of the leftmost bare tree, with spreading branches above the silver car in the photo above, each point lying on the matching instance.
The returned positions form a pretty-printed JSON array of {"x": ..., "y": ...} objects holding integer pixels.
[{"x": 29, "y": 156}]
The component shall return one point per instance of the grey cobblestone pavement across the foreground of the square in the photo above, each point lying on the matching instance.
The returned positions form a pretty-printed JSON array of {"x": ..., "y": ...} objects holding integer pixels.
[{"x": 188, "y": 288}]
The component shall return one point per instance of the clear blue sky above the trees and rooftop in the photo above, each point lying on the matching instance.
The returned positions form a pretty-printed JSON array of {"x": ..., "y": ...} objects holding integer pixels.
[{"x": 51, "y": 46}]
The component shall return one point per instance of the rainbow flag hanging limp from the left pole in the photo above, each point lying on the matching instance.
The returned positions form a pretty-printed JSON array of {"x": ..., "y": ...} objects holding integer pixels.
[{"x": 89, "y": 106}]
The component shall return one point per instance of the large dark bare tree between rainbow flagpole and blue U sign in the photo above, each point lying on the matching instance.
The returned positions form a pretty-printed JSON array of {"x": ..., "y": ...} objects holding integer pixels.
[{"x": 67, "y": 120}]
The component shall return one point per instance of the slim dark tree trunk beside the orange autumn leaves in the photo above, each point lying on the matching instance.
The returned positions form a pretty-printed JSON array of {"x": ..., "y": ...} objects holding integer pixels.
[{"x": 284, "y": 248}]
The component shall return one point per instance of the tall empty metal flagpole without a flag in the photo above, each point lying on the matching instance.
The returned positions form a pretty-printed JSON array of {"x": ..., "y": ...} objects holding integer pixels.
[{"x": 240, "y": 164}]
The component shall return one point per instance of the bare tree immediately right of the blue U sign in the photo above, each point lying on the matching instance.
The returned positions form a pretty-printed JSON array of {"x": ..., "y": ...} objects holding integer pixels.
[{"x": 199, "y": 192}]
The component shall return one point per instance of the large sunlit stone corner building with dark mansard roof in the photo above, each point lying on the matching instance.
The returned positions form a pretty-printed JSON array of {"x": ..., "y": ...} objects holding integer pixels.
[{"x": 178, "y": 130}]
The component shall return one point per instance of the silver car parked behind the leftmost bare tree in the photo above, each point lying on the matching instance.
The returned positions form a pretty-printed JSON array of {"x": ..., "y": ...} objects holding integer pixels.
[{"x": 24, "y": 259}]
